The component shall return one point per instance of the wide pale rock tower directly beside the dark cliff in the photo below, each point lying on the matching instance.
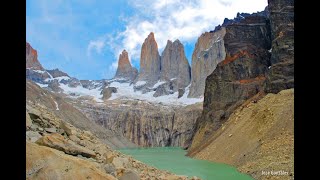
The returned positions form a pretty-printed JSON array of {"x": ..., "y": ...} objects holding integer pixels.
[{"x": 208, "y": 52}]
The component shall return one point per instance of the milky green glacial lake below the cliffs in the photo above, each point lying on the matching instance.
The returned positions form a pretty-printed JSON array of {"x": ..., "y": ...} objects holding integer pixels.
[{"x": 174, "y": 160}]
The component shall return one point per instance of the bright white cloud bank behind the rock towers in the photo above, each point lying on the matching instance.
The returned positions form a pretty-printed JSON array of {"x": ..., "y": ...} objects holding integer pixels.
[{"x": 185, "y": 20}]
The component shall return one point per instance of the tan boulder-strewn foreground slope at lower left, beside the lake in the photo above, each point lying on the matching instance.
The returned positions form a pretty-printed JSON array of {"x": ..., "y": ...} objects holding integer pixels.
[{"x": 57, "y": 150}]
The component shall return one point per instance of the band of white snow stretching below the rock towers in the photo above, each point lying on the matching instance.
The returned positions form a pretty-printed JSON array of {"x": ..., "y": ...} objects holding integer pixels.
[{"x": 75, "y": 88}]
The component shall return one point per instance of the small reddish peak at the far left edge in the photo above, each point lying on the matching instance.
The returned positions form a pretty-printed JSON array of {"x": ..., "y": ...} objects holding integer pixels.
[{"x": 32, "y": 58}]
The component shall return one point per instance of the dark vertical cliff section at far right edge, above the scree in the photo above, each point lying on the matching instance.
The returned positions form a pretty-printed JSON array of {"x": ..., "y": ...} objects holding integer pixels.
[{"x": 281, "y": 73}]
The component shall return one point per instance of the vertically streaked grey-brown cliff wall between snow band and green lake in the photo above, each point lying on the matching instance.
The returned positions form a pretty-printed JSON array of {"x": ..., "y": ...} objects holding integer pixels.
[{"x": 146, "y": 124}]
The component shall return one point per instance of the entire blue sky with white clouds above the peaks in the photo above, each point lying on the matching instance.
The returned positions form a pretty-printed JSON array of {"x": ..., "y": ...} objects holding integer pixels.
[{"x": 84, "y": 37}]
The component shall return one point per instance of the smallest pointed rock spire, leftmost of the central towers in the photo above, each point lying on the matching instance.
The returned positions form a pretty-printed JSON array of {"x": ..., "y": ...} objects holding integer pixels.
[{"x": 125, "y": 70}]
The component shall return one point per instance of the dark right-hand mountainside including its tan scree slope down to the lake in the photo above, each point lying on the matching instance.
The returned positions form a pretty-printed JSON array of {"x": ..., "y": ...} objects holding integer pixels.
[{"x": 238, "y": 117}]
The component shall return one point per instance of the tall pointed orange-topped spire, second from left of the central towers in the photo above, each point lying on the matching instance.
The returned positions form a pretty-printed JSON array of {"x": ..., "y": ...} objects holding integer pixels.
[{"x": 149, "y": 61}]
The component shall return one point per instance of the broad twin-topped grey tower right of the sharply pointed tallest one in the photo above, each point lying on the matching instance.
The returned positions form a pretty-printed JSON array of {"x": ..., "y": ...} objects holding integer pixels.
[{"x": 174, "y": 64}]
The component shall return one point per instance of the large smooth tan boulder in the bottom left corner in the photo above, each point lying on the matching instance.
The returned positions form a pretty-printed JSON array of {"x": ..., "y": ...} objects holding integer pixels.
[{"x": 47, "y": 163}]
